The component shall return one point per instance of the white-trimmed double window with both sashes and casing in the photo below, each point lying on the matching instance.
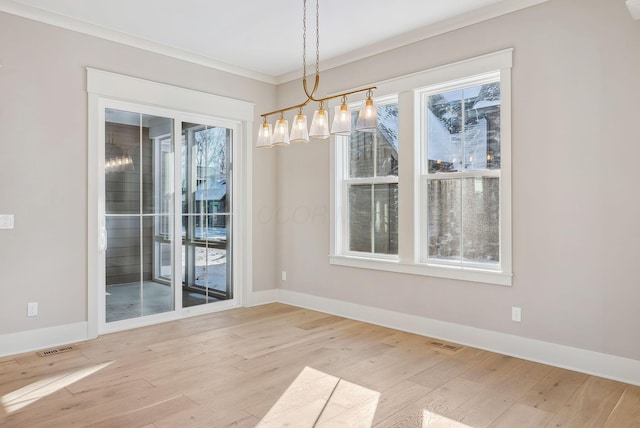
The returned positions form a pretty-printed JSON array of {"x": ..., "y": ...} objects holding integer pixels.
[{"x": 445, "y": 210}]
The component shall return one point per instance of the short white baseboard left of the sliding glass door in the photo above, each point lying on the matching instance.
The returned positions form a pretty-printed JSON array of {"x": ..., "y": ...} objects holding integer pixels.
[{"x": 34, "y": 340}]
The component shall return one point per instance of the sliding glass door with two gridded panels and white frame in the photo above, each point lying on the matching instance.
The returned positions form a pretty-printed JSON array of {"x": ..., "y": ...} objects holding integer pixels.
[{"x": 167, "y": 252}]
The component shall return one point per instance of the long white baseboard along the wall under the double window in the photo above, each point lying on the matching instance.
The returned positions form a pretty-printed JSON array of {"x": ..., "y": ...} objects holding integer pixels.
[{"x": 580, "y": 360}]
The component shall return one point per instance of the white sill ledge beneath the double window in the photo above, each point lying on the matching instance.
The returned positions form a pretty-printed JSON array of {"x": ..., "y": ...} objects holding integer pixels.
[{"x": 462, "y": 274}]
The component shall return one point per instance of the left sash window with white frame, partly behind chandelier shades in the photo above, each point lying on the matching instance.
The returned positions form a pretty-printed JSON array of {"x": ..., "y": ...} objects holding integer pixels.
[{"x": 371, "y": 185}]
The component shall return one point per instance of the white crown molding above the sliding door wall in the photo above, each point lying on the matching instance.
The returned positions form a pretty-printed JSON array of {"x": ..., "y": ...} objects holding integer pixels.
[{"x": 62, "y": 21}]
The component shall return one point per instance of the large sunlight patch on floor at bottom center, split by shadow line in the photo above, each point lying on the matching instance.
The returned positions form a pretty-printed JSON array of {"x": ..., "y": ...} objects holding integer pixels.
[{"x": 318, "y": 399}]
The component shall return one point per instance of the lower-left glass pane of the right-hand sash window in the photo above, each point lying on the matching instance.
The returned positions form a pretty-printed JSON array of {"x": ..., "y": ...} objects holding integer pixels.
[{"x": 444, "y": 219}]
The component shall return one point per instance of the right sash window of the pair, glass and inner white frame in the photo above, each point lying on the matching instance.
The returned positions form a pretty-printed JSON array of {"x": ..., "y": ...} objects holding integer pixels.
[{"x": 462, "y": 175}]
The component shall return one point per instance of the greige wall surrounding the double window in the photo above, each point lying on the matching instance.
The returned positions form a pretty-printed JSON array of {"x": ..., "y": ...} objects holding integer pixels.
[{"x": 576, "y": 207}]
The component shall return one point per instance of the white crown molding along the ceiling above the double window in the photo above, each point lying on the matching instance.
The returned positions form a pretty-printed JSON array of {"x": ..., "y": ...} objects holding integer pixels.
[{"x": 452, "y": 24}]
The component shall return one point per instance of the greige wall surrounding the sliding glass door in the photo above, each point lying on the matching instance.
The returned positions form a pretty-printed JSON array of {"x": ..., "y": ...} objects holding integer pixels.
[{"x": 43, "y": 163}]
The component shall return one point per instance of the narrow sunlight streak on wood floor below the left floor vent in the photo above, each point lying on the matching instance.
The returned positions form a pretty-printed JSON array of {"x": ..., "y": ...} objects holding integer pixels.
[{"x": 20, "y": 398}]
